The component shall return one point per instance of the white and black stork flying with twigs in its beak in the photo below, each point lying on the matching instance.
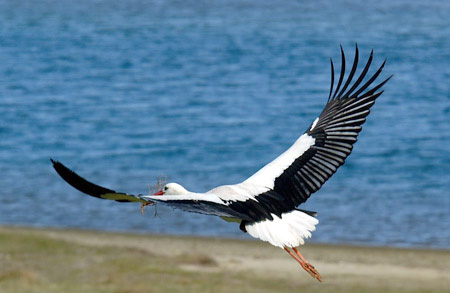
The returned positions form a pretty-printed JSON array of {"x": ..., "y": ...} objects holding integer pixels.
[{"x": 266, "y": 204}]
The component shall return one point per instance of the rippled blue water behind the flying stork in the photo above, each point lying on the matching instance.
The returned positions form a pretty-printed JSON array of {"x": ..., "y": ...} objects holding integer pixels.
[{"x": 207, "y": 92}]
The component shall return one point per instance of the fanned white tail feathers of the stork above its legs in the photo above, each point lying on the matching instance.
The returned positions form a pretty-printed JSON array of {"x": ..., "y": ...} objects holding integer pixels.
[{"x": 288, "y": 231}]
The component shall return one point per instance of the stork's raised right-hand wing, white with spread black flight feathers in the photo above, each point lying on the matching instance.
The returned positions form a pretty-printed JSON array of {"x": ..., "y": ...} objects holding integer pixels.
[{"x": 318, "y": 153}]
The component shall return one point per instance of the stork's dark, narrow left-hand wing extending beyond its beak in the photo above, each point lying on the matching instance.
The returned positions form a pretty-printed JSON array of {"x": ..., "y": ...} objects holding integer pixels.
[{"x": 92, "y": 189}]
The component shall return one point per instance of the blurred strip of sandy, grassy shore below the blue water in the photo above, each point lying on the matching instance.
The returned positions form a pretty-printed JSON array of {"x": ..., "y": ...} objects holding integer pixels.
[{"x": 52, "y": 260}]
